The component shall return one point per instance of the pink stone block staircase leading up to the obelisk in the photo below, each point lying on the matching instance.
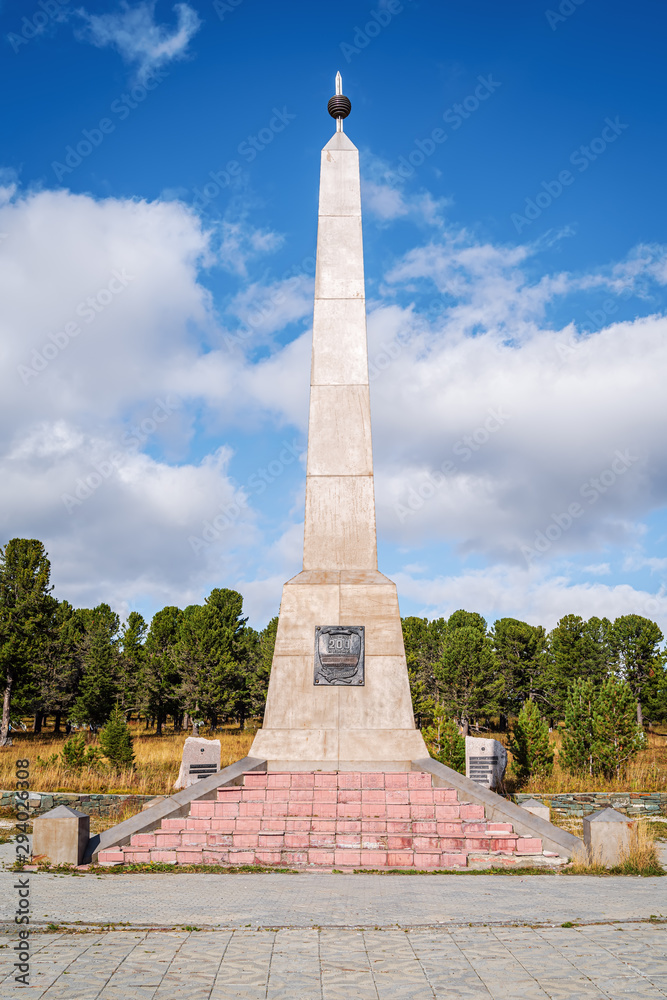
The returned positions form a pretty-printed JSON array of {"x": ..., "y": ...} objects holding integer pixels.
[{"x": 327, "y": 820}]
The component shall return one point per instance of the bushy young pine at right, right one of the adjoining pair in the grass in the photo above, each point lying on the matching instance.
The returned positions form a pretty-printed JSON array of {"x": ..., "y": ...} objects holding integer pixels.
[{"x": 618, "y": 735}]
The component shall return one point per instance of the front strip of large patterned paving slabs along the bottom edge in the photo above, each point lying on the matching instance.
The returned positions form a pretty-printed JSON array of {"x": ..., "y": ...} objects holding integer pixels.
[{"x": 476, "y": 963}]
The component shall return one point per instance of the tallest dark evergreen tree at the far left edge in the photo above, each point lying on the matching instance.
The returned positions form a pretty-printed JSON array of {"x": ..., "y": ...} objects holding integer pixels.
[{"x": 27, "y": 613}]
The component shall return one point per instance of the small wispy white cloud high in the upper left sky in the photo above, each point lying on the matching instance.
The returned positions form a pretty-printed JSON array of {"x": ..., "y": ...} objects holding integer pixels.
[{"x": 134, "y": 33}]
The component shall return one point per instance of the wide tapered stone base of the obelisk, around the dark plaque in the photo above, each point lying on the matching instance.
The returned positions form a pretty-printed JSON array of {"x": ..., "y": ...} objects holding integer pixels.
[{"x": 337, "y": 727}]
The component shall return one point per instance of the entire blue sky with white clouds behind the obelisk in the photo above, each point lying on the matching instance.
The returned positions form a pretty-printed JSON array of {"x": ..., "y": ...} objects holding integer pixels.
[{"x": 159, "y": 174}]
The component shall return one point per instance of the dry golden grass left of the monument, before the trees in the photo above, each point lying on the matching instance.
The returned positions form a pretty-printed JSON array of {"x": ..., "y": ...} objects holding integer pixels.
[{"x": 157, "y": 762}]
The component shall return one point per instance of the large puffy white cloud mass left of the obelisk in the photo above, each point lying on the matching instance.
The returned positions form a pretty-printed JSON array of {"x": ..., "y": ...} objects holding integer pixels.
[{"x": 100, "y": 398}]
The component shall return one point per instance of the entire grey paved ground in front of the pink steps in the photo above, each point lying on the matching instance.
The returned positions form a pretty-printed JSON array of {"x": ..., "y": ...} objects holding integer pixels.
[{"x": 340, "y": 937}]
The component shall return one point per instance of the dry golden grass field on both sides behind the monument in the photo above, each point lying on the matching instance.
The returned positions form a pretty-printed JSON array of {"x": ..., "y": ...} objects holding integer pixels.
[{"x": 158, "y": 759}]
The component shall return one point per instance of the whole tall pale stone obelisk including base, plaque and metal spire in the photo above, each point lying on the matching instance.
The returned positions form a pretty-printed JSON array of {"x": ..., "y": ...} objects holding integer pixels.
[{"x": 339, "y": 696}]
